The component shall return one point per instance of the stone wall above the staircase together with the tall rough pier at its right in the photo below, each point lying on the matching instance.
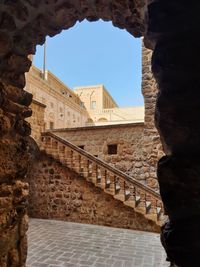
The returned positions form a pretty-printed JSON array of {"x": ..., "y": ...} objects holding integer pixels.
[{"x": 139, "y": 145}]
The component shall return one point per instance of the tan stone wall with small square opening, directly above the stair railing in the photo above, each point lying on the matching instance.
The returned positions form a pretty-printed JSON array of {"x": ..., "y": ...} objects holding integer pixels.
[{"x": 96, "y": 140}]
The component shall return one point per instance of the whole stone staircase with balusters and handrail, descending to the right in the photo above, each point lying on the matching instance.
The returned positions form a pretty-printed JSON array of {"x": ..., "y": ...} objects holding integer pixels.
[{"x": 130, "y": 191}]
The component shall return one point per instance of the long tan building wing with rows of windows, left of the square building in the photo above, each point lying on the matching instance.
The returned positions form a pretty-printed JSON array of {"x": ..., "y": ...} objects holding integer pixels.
[{"x": 63, "y": 107}]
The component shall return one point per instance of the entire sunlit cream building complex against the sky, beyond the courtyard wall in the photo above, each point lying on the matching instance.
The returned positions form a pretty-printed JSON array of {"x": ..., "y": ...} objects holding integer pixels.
[{"x": 64, "y": 108}]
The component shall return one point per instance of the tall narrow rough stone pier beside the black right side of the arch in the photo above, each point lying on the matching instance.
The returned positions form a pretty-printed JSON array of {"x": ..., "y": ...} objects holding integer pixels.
[{"x": 151, "y": 145}]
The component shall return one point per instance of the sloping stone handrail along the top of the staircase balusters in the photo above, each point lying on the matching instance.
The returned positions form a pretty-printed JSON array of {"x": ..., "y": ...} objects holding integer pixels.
[{"x": 104, "y": 165}]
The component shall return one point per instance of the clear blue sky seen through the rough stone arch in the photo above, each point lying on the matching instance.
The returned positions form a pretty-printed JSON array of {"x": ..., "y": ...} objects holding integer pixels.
[{"x": 97, "y": 53}]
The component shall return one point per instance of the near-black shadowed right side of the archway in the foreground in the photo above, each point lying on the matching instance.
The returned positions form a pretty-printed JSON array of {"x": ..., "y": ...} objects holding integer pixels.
[{"x": 173, "y": 31}]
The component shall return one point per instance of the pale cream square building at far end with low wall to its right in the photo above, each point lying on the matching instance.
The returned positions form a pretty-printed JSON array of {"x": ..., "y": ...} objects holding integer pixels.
[{"x": 103, "y": 109}]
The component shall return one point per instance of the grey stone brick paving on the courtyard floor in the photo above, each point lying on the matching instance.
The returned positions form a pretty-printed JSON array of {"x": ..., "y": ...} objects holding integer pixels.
[{"x": 56, "y": 243}]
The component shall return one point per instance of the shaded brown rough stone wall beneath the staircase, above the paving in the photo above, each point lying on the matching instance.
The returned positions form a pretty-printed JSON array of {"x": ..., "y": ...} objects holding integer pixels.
[{"x": 56, "y": 192}]
